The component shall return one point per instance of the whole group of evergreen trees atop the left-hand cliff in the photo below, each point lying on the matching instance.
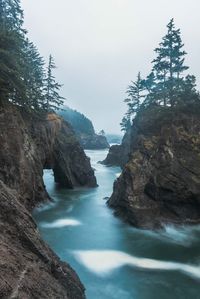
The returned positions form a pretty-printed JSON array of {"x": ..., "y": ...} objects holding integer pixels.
[{"x": 23, "y": 78}]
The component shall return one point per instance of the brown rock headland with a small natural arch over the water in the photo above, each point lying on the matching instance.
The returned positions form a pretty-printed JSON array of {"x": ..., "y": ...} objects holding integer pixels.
[{"x": 30, "y": 145}]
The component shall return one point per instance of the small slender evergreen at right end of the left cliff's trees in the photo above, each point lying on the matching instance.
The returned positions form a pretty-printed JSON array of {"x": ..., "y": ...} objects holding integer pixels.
[{"x": 53, "y": 99}]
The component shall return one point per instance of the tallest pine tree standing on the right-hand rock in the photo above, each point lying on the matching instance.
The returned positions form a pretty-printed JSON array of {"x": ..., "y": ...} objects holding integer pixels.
[{"x": 169, "y": 64}]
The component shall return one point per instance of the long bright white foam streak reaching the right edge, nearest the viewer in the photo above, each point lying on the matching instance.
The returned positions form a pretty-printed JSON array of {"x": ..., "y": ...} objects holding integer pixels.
[{"x": 102, "y": 262}]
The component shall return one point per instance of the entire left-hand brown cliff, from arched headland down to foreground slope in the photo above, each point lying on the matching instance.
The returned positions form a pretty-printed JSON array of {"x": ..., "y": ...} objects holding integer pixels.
[{"x": 28, "y": 268}]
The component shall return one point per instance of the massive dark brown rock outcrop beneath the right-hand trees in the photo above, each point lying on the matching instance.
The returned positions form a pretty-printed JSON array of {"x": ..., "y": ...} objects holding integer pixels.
[{"x": 161, "y": 182}]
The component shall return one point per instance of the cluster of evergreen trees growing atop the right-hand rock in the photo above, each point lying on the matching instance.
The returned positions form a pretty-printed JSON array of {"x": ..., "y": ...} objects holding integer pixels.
[{"x": 166, "y": 86}]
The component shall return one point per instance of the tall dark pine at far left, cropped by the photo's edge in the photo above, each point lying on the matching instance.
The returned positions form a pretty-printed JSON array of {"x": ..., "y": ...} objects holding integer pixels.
[{"x": 11, "y": 44}]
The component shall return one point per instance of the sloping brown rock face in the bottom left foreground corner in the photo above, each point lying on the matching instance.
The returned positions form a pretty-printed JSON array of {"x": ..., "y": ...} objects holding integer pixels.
[{"x": 28, "y": 268}]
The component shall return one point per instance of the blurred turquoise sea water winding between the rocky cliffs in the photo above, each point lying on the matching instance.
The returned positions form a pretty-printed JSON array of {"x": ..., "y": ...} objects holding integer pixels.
[{"x": 114, "y": 260}]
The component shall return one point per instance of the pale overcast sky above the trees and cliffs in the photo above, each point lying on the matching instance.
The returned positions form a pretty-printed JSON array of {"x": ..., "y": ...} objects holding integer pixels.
[{"x": 99, "y": 46}]
